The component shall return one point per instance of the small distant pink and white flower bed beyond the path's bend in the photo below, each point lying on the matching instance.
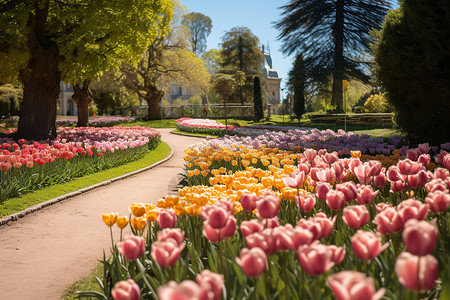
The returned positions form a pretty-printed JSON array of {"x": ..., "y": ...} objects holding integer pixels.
[{"x": 206, "y": 126}]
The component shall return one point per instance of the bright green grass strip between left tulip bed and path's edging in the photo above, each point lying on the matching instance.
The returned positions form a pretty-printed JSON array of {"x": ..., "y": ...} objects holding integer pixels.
[{"x": 14, "y": 205}]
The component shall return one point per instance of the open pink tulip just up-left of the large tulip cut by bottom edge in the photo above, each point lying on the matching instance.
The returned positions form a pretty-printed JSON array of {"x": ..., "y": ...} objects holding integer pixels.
[{"x": 315, "y": 259}]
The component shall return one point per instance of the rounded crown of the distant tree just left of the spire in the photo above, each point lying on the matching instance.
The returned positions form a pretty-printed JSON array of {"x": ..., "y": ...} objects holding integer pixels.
[{"x": 240, "y": 51}]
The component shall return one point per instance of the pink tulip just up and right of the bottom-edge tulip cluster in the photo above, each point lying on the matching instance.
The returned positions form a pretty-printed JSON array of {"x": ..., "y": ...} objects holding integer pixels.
[{"x": 252, "y": 261}]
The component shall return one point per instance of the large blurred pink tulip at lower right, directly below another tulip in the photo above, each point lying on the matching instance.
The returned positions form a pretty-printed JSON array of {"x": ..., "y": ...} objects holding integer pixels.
[{"x": 407, "y": 268}]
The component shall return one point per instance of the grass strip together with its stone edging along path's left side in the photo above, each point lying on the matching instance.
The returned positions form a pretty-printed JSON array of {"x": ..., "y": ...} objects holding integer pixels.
[{"x": 36, "y": 201}]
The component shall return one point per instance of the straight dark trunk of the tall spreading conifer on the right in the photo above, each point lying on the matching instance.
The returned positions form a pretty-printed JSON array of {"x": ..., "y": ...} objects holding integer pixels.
[{"x": 339, "y": 66}]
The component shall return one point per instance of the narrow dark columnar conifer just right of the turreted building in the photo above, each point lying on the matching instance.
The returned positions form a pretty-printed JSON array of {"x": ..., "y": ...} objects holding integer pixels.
[{"x": 296, "y": 83}]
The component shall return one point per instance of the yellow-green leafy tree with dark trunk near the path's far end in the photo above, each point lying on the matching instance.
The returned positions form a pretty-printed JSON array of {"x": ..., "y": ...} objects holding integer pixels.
[{"x": 166, "y": 61}]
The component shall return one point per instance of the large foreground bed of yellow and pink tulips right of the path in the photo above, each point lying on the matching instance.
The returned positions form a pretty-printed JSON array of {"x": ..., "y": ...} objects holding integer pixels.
[{"x": 290, "y": 230}]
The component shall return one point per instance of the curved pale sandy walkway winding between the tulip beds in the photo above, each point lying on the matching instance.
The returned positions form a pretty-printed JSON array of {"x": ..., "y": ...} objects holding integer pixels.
[{"x": 43, "y": 253}]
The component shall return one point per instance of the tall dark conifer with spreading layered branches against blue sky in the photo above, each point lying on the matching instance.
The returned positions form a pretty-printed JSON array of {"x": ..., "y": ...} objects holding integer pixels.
[{"x": 333, "y": 37}]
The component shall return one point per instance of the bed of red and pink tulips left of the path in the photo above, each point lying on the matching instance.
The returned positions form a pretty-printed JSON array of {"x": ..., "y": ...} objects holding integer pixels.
[{"x": 28, "y": 166}]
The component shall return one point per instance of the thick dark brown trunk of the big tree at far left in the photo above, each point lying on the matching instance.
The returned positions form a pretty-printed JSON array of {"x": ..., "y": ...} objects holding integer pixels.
[{"x": 41, "y": 81}]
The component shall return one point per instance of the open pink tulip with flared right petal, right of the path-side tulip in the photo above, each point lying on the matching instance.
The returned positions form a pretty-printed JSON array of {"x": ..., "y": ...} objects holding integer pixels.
[{"x": 166, "y": 252}]
